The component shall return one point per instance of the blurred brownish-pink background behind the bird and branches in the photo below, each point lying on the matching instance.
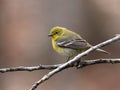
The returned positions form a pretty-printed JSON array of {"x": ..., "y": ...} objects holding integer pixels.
[{"x": 24, "y": 26}]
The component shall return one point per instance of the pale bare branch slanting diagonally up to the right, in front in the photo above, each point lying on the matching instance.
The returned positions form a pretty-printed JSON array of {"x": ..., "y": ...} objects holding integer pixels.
[{"x": 71, "y": 62}]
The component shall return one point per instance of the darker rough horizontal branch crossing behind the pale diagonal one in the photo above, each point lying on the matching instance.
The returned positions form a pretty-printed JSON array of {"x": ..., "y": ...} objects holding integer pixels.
[{"x": 50, "y": 67}]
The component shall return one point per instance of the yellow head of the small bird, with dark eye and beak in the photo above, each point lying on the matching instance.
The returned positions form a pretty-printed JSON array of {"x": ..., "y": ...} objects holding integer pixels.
[{"x": 56, "y": 32}]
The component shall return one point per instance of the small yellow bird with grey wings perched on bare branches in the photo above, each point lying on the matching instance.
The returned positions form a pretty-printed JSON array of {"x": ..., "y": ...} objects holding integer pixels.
[{"x": 69, "y": 43}]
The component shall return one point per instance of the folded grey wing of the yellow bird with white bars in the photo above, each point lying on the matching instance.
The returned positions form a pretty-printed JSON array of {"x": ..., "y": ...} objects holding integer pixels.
[{"x": 74, "y": 44}]
